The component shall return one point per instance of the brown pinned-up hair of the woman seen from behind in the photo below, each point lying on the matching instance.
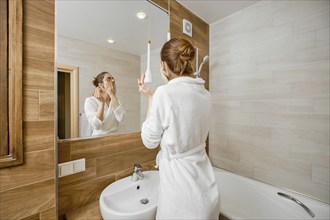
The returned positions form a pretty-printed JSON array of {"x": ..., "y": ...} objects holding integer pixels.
[{"x": 178, "y": 53}]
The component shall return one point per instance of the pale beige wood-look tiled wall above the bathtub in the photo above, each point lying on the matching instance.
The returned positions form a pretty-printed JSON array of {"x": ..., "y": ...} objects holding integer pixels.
[{"x": 270, "y": 84}]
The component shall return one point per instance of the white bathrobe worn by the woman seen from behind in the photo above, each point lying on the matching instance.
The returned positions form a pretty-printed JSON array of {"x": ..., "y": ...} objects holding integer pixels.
[{"x": 179, "y": 120}]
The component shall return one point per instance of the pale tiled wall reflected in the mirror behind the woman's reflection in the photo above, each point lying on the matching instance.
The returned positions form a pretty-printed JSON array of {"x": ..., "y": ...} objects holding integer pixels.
[{"x": 91, "y": 59}]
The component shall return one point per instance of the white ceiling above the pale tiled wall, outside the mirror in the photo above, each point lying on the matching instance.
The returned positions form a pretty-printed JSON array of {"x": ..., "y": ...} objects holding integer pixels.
[{"x": 214, "y": 10}]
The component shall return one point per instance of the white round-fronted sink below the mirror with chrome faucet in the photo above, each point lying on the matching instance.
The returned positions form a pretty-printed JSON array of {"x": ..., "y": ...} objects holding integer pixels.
[{"x": 125, "y": 199}]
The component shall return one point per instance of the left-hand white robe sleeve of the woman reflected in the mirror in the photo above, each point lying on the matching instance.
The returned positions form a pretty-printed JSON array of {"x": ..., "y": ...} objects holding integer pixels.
[{"x": 91, "y": 107}]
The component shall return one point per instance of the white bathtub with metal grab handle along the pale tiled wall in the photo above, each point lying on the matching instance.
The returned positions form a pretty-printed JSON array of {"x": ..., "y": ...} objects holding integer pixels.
[{"x": 244, "y": 198}]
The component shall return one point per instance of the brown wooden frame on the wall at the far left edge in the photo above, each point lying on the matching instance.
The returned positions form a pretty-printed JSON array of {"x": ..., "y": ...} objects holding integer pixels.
[{"x": 13, "y": 45}]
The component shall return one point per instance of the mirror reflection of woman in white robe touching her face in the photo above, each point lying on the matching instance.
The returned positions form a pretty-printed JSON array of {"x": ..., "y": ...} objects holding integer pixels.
[{"x": 103, "y": 110}]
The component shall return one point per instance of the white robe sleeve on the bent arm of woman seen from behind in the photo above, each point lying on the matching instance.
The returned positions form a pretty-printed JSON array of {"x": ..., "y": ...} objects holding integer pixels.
[{"x": 158, "y": 121}]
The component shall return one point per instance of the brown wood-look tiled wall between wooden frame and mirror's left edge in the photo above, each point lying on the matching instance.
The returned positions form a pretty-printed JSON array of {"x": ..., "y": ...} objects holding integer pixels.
[{"x": 28, "y": 190}]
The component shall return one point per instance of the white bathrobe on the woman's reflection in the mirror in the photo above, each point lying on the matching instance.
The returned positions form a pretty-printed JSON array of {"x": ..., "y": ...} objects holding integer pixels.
[{"x": 111, "y": 116}]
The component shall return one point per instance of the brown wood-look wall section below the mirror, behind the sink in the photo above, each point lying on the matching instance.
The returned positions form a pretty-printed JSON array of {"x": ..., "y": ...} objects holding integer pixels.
[{"x": 107, "y": 159}]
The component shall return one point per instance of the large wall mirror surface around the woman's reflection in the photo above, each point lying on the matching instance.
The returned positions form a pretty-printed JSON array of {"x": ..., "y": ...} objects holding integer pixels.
[{"x": 83, "y": 29}]
